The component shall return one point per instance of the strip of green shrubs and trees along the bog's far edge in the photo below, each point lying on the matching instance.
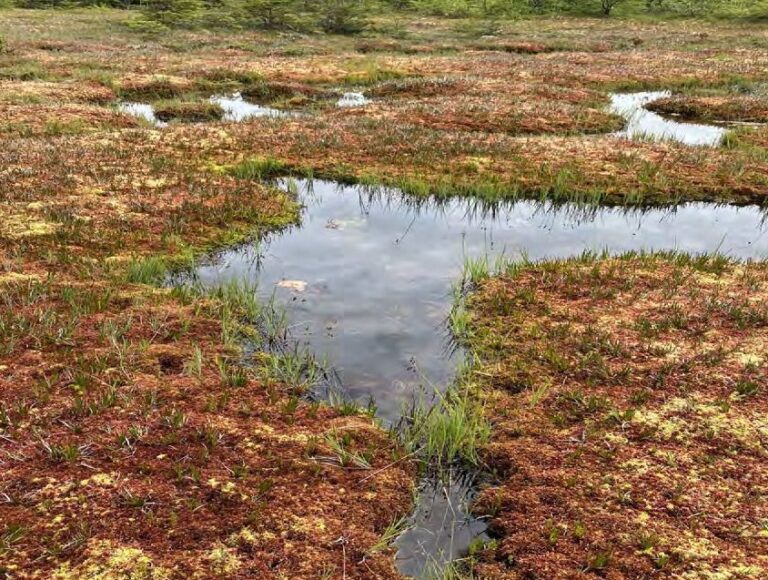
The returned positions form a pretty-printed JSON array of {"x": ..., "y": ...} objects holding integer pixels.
[{"x": 353, "y": 16}]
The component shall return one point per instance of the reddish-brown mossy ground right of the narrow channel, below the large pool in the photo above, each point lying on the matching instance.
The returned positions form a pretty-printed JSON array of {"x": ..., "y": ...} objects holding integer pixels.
[{"x": 630, "y": 411}]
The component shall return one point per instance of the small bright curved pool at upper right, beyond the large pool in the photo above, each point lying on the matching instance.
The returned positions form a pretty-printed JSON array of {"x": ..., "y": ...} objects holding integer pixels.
[{"x": 644, "y": 123}]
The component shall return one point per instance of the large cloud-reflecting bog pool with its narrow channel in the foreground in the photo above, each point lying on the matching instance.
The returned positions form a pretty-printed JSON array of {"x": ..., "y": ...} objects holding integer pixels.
[{"x": 367, "y": 278}]
